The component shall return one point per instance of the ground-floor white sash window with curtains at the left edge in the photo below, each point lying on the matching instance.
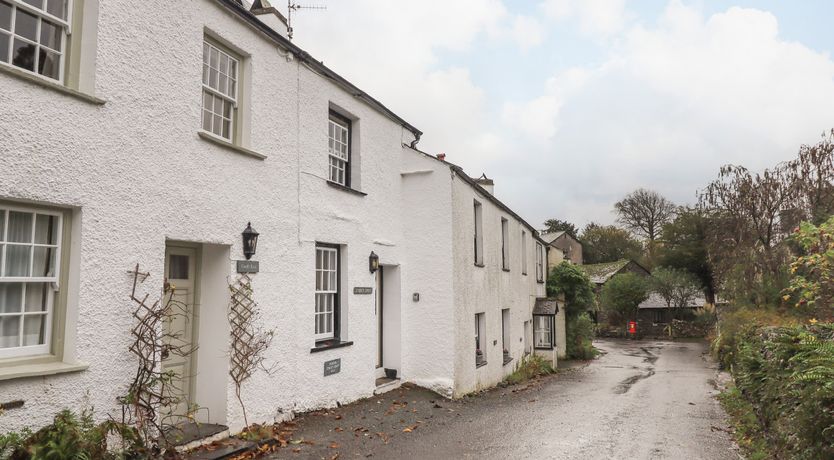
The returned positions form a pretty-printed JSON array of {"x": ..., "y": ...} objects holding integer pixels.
[{"x": 30, "y": 246}]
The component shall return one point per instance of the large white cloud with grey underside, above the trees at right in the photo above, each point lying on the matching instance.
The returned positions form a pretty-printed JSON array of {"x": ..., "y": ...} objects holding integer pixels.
[{"x": 671, "y": 104}]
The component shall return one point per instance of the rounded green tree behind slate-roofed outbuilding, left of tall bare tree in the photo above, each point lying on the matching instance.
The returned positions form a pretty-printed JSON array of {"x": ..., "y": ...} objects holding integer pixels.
[{"x": 608, "y": 243}]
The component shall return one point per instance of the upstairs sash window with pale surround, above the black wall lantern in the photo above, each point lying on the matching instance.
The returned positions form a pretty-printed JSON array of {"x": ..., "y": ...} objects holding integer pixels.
[{"x": 220, "y": 91}]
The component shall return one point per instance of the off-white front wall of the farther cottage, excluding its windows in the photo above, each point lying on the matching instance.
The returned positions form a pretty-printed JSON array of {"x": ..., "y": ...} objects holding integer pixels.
[{"x": 488, "y": 289}]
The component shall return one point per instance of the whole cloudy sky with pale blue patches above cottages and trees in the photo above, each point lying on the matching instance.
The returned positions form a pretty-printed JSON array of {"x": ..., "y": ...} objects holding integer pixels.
[{"x": 571, "y": 104}]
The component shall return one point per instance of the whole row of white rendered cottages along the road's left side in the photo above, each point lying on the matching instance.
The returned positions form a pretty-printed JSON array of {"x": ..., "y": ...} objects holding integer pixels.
[{"x": 153, "y": 138}]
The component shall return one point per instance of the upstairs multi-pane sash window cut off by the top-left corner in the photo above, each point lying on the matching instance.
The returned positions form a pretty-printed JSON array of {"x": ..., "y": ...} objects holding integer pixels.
[{"x": 33, "y": 35}]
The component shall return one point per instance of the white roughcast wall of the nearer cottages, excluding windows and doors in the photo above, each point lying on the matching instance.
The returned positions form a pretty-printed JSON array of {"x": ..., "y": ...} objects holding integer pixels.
[{"x": 137, "y": 174}]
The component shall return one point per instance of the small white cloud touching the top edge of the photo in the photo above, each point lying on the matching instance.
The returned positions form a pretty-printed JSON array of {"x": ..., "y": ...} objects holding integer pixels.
[{"x": 600, "y": 18}]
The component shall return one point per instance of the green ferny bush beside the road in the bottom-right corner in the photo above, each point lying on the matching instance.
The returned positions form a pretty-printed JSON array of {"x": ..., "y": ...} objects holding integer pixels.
[{"x": 787, "y": 374}]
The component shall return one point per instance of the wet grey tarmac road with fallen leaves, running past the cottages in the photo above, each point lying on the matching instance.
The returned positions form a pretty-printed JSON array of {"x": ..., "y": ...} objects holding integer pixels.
[{"x": 640, "y": 400}]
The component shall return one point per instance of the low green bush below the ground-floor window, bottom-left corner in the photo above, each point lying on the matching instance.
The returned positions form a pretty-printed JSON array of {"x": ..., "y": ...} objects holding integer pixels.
[{"x": 71, "y": 436}]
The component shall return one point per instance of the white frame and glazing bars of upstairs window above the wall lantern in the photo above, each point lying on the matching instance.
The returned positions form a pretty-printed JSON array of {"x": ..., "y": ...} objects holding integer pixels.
[{"x": 217, "y": 94}]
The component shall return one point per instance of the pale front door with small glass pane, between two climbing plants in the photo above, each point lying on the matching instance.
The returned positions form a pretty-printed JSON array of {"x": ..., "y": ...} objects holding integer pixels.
[{"x": 180, "y": 276}]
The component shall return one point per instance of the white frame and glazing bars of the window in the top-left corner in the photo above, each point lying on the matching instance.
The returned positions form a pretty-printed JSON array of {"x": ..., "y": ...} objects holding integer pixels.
[{"x": 42, "y": 15}]
